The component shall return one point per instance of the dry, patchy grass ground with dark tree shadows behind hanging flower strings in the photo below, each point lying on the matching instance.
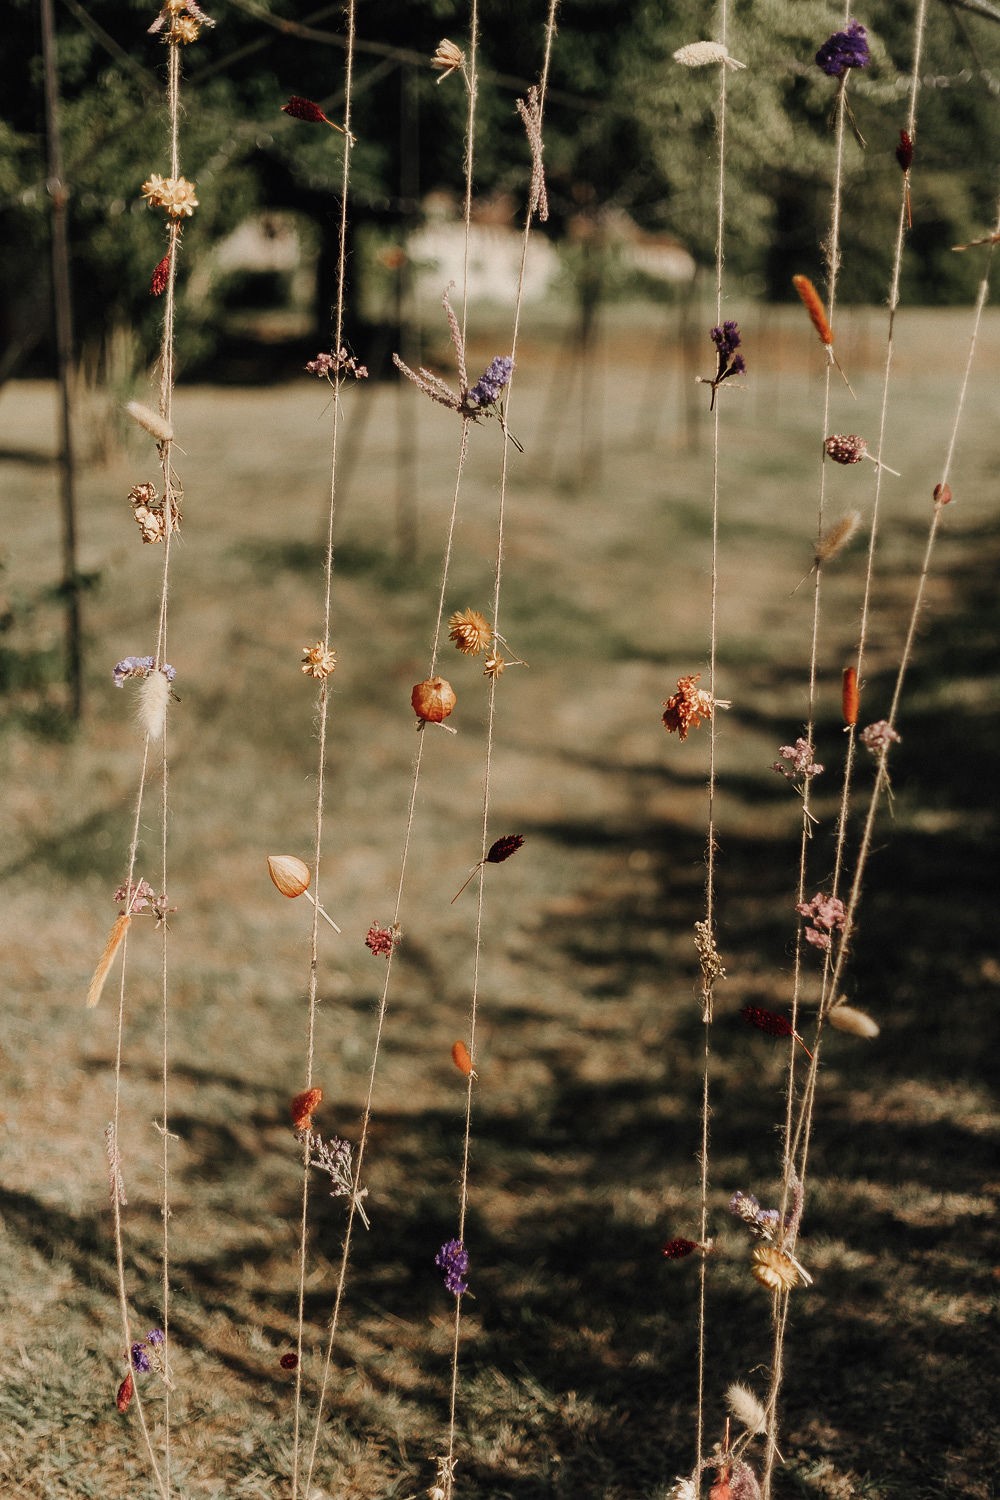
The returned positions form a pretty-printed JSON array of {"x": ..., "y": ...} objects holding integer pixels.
[{"x": 578, "y": 1358}]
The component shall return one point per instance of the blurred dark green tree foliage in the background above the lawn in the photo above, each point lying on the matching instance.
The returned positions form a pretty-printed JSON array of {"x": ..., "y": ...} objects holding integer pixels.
[{"x": 629, "y": 134}]
